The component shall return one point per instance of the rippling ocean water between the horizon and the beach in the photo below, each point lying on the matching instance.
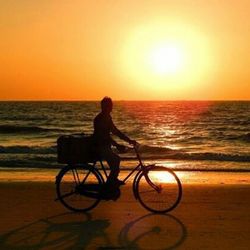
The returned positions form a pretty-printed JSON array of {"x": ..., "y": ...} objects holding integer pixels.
[{"x": 189, "y": 135}]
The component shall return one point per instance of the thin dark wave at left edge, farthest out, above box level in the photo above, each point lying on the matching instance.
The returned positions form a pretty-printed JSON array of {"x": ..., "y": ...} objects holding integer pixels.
[{"x": 10, "y": 129}]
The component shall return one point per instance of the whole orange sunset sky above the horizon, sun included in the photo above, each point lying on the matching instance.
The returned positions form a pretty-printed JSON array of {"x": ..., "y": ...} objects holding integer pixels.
[{"x": 84, "y": 50}]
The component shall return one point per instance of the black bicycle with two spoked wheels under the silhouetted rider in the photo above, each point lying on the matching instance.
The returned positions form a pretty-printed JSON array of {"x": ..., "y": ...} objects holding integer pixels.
[{"x": 79, "y": 186}]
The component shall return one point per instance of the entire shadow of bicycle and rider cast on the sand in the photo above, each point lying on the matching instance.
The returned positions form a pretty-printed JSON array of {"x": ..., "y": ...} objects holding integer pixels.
[{"x": 80, "y": 231}]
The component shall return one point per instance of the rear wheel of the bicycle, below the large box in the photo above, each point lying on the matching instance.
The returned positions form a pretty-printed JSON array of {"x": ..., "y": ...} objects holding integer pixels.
[{"x": 78, "y": 187}]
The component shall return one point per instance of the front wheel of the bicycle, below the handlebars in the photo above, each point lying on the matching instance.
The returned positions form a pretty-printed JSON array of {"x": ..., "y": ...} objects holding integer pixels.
[{"x": 158, "y": 189}]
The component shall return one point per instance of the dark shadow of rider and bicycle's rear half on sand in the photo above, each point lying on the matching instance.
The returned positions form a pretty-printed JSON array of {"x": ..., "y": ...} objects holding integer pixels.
[{"x": 63, "y": 231}]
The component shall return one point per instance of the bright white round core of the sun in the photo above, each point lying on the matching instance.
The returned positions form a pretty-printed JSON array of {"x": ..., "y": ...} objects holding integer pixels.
[{"x": 166, "y": 59}]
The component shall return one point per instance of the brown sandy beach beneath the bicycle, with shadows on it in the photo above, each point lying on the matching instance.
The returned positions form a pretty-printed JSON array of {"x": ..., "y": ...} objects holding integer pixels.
[{"x": 210, "y": 216}]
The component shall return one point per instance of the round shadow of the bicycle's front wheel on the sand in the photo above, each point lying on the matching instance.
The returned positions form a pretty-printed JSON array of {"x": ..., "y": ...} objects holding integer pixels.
[{"x": 153, "y": 231}]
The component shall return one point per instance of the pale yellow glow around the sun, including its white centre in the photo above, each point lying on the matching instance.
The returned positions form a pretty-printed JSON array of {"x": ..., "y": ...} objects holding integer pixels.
[{"x": 167, "y": 56}]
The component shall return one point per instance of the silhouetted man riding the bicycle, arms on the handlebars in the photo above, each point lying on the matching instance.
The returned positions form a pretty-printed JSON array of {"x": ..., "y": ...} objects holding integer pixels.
[{"x": 103, "y": 127}]
